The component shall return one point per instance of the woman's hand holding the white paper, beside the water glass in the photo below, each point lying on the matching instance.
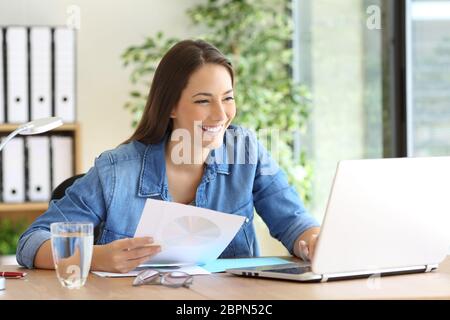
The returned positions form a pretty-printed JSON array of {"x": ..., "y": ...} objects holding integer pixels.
[{"x": 123, "y": 255}]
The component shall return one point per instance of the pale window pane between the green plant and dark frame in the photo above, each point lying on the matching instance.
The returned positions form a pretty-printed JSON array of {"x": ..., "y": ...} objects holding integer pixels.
[{"x": 340, "y": 58}]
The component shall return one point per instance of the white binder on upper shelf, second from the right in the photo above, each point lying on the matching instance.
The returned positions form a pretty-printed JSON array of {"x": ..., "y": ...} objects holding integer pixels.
[{"x": 40, "y": 60}]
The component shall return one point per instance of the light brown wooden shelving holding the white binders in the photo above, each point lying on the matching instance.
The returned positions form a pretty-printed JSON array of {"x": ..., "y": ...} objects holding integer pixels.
[{"x": 31, "y": 210}]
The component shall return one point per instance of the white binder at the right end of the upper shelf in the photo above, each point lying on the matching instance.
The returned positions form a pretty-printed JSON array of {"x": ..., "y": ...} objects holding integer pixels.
[{"x": 64, "y": 41}]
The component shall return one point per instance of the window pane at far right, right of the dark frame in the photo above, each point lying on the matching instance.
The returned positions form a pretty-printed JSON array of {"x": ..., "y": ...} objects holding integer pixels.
[{"x": 428, "y": 77}]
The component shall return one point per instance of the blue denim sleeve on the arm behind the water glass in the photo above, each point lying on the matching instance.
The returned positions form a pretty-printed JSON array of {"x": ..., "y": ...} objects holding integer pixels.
[{"x": 84, "y": 201}]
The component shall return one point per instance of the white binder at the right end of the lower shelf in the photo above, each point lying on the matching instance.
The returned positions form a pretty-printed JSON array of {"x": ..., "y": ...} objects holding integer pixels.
[{"x": 62, "y": 159}]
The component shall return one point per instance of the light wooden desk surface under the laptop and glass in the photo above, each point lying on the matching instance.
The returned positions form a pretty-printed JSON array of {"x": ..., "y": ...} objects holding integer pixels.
[{"x": 42, "y": 284}]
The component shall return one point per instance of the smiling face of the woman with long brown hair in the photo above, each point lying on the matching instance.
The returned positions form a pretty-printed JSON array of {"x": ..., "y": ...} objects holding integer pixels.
[{"x": 206, "y": 106}]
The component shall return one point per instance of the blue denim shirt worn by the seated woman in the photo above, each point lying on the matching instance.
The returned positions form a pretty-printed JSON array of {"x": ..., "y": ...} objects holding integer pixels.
[{"x": 239, "y": 176}]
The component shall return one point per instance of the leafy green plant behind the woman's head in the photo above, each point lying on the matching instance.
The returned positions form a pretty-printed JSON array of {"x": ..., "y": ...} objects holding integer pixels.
[{"x": 256, "y": 35}]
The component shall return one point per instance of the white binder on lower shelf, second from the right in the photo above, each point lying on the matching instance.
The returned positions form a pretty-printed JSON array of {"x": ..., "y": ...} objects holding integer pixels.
[{"x": 38, "y": 168}]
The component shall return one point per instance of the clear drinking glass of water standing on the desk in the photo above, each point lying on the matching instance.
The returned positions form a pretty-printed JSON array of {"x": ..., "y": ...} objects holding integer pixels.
[{"x": 72, "y": 245}]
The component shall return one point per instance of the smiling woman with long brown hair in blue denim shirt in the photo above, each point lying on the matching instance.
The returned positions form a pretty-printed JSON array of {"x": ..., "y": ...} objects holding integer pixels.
[{"x": 178, "y": 153}]
